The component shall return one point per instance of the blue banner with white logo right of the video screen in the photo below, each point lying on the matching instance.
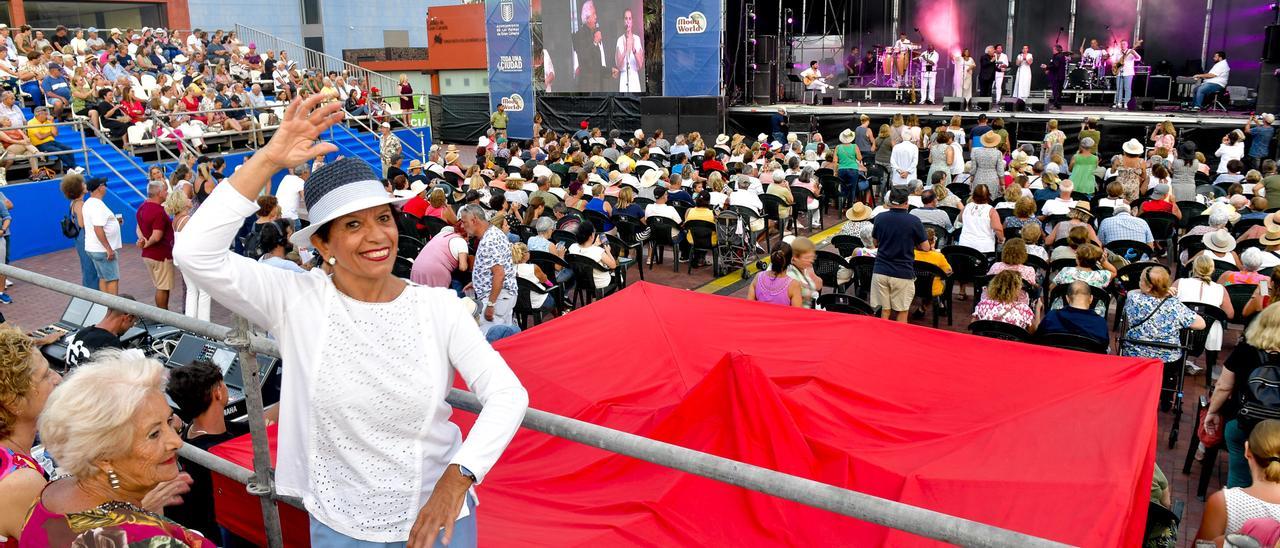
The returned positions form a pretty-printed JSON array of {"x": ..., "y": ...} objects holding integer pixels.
[{"x": 692, "y": 57}]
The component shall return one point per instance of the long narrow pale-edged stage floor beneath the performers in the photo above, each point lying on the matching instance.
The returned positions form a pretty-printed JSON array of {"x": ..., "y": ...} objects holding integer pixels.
[{"x": 1068, "y": 113}]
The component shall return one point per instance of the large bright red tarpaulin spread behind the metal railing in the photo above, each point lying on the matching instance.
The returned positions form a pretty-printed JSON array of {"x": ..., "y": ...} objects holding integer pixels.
[{"x": 1054, "y": 444}]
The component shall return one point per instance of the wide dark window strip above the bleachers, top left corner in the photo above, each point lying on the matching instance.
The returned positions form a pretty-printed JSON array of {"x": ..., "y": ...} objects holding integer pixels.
[{"x": 92, "y": 15}]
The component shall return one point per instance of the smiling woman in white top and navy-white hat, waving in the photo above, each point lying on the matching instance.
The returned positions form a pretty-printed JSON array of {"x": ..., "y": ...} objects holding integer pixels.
[{"x": 364, "y": 437}]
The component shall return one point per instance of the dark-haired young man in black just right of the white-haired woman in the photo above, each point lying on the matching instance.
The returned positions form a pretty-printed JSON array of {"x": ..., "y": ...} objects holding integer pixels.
[{"x": 202, "y": 396}]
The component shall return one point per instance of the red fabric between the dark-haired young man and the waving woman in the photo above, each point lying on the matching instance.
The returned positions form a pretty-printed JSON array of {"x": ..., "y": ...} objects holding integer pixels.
[{"x": 241, "y": 513}]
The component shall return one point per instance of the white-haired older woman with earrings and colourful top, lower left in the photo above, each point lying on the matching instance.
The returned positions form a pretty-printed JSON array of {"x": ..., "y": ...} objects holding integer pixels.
[{"x": 112, "y": 412}]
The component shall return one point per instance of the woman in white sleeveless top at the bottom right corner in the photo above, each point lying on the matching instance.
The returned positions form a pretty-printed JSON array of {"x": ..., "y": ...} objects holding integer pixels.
[{"x": 1228, "y": 510}]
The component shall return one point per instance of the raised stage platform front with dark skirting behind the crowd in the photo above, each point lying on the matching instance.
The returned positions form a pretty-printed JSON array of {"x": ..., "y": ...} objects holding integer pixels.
[{"x": 1205, "y": 129}]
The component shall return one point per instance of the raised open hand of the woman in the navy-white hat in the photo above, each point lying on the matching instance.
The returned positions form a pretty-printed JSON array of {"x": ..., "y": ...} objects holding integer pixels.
[{"x": 298, "y": 140}]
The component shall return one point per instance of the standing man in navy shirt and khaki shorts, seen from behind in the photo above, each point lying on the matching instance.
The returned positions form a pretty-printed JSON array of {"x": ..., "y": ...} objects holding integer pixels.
[{"x": 898, "y": 235}]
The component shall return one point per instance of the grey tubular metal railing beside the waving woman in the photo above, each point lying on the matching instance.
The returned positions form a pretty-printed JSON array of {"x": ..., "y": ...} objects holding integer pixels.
[{"x": 890, "y": 514}]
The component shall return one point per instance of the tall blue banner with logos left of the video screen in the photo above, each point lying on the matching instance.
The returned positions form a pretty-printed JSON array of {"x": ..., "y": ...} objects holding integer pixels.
[{"x": 511, "y": 67}]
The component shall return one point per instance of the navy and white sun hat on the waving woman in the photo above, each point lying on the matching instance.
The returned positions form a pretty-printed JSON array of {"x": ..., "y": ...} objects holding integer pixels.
[{"x": 341, "y": 189}]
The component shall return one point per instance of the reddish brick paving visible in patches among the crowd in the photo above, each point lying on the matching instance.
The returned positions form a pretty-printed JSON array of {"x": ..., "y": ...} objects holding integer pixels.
[{"x": 35, "y": 308}]
